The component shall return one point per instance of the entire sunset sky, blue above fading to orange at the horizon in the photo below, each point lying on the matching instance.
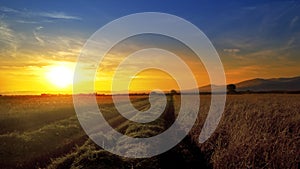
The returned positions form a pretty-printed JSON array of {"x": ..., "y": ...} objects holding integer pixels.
[{"x": 254, "y": 39}]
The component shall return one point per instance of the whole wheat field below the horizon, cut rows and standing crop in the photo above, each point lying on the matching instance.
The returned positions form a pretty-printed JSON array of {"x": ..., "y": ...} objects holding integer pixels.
[{"x": 255, "y": 131}]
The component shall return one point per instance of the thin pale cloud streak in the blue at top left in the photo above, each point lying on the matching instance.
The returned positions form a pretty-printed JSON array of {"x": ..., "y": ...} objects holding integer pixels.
[{"x": 47, "y": 14}]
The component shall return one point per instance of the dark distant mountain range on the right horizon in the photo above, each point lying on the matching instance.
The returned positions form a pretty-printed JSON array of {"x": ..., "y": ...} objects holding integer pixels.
[{"x": 258, "y": 84}]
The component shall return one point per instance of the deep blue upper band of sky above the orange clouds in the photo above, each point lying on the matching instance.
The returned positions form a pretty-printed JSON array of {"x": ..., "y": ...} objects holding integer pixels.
[{"x": 270, "y": 20}]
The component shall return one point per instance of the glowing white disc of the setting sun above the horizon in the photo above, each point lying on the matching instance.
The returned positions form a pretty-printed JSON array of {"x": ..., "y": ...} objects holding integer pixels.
[{"x": 60, "y": 76}]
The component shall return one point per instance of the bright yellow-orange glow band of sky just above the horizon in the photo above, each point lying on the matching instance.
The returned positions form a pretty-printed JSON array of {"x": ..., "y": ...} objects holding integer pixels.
[{"x": 57, "y": 78}]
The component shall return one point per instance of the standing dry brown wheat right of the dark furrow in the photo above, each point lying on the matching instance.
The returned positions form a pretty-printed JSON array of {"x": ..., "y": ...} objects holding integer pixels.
[{"x": 256, "y": 131}]
